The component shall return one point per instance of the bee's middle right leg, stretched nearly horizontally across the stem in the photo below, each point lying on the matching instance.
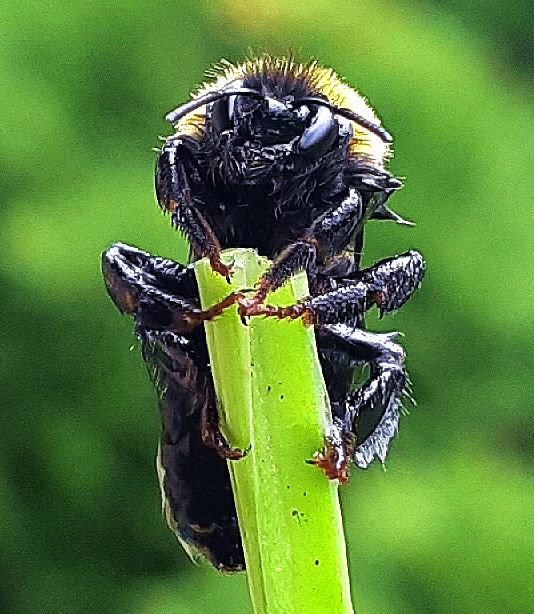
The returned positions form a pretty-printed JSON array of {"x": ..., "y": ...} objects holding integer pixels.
[{"x": 388, "y": 284}]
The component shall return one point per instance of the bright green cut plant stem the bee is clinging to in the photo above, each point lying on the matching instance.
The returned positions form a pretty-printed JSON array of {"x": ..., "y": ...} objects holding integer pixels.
[{"x": 273, "y": 401}]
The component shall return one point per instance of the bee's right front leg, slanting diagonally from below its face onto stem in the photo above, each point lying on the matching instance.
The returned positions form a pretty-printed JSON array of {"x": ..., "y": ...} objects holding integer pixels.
[{"x": 323, "y": 239}]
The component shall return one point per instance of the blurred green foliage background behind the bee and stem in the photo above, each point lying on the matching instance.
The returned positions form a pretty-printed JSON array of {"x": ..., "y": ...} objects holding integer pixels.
[{"x": 450, "y": 526}]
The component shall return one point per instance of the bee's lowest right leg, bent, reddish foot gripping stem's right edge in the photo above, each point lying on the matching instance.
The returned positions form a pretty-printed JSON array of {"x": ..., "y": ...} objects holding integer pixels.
[{"x": 366, "y": 420}]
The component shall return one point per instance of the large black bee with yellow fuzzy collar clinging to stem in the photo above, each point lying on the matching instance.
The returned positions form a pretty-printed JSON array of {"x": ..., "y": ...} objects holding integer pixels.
[{"x": 287, "y": 159}]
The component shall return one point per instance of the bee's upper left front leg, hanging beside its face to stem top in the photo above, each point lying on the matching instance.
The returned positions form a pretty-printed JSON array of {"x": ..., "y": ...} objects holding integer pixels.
[{"x": 175, "y": 170}]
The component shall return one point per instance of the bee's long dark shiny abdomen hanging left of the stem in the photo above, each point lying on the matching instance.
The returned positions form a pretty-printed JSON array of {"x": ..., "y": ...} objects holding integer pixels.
[{"x": 195, "y": 484}]
